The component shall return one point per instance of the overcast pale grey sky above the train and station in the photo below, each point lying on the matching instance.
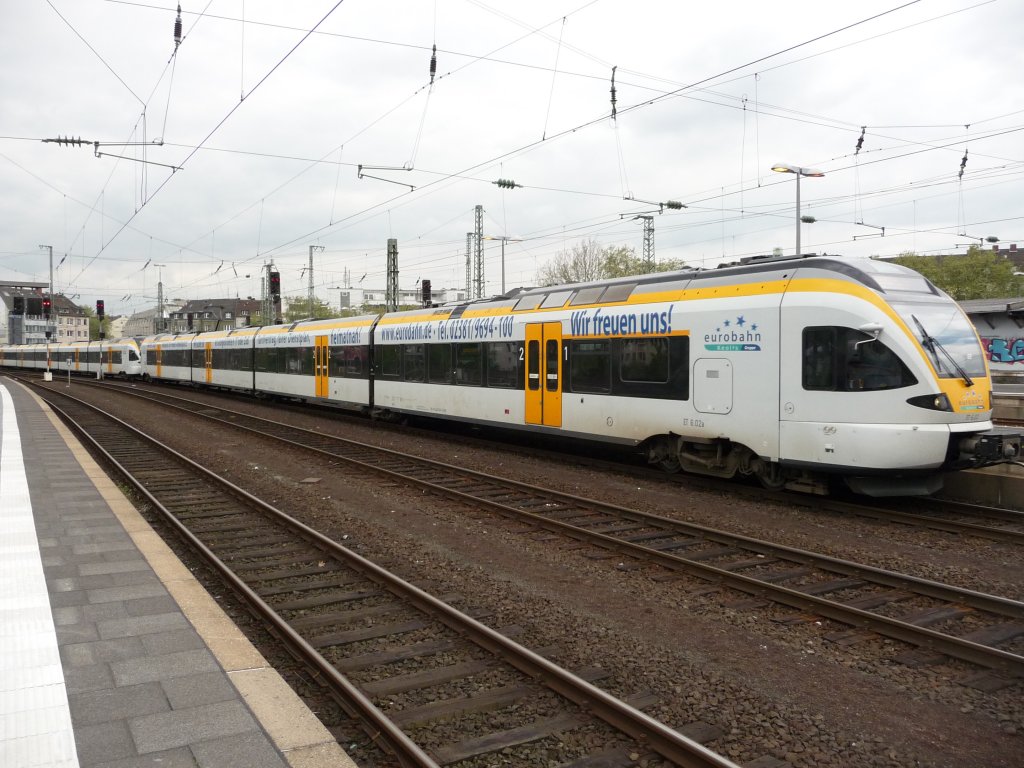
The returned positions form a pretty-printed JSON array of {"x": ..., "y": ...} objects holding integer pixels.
[{"x": 268, "y": 126}]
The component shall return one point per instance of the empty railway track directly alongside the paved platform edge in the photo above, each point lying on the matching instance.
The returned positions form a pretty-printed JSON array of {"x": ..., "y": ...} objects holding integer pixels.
[{"x": 432, "y": 685}]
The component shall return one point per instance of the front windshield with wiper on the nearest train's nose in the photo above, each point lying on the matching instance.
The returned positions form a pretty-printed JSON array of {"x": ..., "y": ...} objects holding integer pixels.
[{"x": 948, "y": 336}]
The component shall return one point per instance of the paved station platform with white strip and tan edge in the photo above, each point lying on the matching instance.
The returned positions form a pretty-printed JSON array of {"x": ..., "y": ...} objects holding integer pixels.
[{"x": 112, "y": 655}]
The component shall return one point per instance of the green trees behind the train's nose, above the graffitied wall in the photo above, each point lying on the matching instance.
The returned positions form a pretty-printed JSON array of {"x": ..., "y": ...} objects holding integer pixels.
[{"x": 978, "y": 275}]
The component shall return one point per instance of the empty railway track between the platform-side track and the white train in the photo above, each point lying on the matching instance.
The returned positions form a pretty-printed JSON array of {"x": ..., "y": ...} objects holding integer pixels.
[{"x": 935, "y": 618}]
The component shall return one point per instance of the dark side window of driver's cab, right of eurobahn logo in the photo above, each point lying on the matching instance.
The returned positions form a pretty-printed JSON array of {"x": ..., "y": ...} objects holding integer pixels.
[{"x": 844, "y": 360}]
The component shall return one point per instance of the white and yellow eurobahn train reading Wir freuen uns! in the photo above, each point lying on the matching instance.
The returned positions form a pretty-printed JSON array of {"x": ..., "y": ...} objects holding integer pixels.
[{"x": 795, "y": 371}]
